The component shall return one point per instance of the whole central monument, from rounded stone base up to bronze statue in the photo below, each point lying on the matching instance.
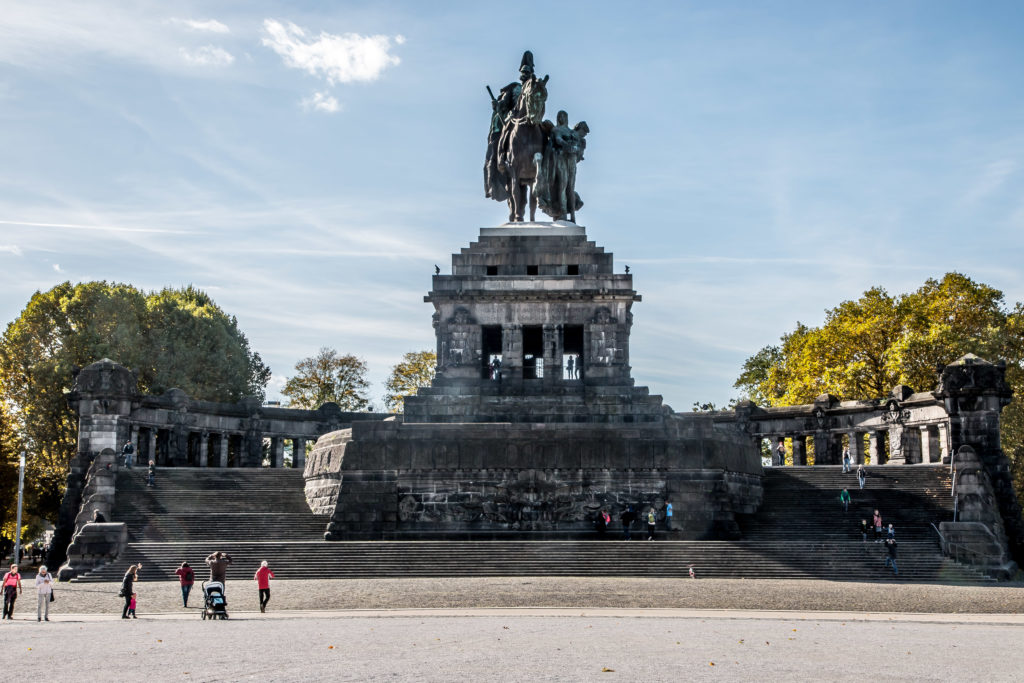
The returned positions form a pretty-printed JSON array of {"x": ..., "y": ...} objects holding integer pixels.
[{"x": 534, "y": 424}]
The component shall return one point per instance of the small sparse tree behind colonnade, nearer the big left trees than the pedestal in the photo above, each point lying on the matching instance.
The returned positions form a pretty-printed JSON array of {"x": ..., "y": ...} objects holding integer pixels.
[{"x": 329, "y": 377}]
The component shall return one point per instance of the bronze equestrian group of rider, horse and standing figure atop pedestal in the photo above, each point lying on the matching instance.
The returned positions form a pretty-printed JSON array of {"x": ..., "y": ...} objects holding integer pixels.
[{"x": 530, "y": 158}]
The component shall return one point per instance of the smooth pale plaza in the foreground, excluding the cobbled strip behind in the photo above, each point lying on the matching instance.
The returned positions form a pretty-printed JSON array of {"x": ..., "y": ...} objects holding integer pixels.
[{"x": 626, "y": 646}]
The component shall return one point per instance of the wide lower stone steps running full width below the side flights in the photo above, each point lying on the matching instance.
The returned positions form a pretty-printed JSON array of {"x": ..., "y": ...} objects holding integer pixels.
[{"x": 560, "y": 559}]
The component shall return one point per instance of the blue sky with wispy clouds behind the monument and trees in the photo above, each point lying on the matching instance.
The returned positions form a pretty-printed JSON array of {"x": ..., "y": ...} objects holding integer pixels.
[{"x": 309, "y": 163}]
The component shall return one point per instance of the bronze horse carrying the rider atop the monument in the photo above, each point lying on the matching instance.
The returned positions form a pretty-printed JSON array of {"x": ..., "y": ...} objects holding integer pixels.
[{"x": 522, "y": 148}]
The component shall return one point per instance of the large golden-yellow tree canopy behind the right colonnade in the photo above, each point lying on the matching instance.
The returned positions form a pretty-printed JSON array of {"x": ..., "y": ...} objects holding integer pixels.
[{"x": 867, "y": 348}]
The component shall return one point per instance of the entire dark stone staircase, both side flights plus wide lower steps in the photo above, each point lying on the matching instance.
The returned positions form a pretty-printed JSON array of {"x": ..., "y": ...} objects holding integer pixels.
[{"x": 800, "y": 533}]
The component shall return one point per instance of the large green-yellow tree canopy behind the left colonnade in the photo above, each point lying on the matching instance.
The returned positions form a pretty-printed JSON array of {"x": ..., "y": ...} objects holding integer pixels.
[{"x": 175, "y": 338}]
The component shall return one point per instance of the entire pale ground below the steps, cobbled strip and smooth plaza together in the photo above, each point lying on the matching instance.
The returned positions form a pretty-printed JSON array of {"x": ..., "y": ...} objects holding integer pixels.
[{"x": 533, "y": 629}]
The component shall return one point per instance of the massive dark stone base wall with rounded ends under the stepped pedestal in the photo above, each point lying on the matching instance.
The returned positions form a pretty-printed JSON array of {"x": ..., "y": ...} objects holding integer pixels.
[{"x": 493, "y": 481}]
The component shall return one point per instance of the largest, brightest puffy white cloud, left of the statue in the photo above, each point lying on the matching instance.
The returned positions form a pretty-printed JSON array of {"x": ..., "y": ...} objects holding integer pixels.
[{"x": 343, "y": 59}]
